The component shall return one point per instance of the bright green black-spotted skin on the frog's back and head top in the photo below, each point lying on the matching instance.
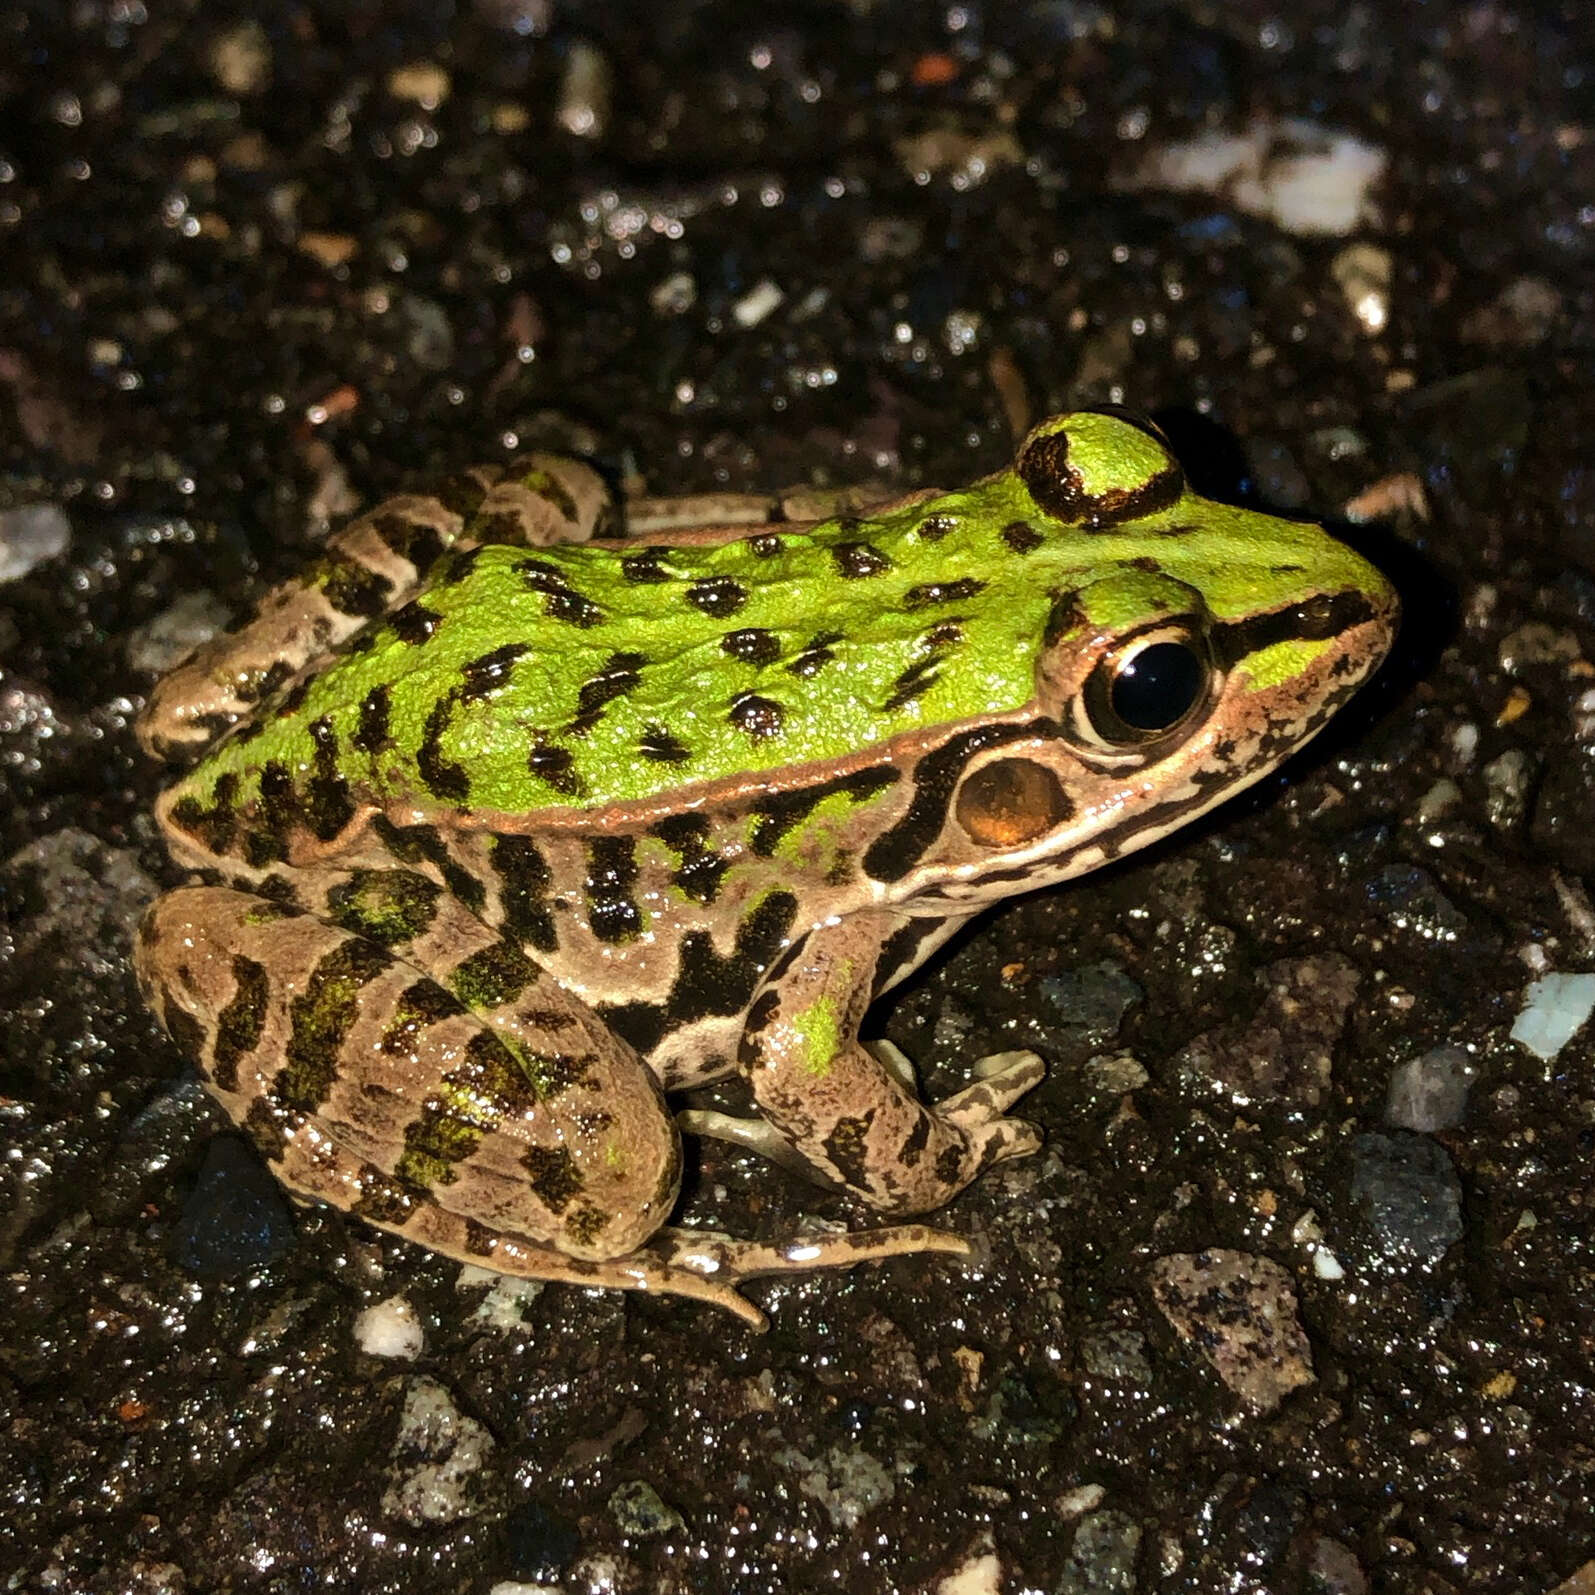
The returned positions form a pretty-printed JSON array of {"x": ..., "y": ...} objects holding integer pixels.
[{"x": 644, "y": 672}]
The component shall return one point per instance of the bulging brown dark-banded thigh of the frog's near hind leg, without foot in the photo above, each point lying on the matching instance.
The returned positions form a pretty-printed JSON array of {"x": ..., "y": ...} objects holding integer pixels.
[{"x": 374, "y": 1087}]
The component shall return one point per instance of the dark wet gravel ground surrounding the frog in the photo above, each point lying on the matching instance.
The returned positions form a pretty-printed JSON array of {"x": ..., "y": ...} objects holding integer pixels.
[{"x": 1299, "y": 1296}]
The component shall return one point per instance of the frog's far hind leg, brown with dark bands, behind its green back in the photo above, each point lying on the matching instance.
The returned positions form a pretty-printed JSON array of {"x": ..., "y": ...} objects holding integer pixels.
[{"x": 366, "y": 570}]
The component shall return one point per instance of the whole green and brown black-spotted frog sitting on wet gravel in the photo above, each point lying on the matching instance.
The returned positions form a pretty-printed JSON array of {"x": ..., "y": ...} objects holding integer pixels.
[{"x": 518, "y": 814}]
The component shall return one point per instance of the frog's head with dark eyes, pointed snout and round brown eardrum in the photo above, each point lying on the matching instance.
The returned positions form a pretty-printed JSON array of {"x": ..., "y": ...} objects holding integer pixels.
[{"x": 1189, "y": 648}]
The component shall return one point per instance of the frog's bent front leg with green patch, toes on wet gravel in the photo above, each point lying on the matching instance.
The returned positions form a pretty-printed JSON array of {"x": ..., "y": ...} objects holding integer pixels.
[{"x": 848, "y": 1111}]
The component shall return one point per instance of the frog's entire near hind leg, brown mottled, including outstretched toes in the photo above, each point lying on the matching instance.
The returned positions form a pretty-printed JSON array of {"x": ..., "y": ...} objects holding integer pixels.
[{"x": 503, "y": 1125}]
